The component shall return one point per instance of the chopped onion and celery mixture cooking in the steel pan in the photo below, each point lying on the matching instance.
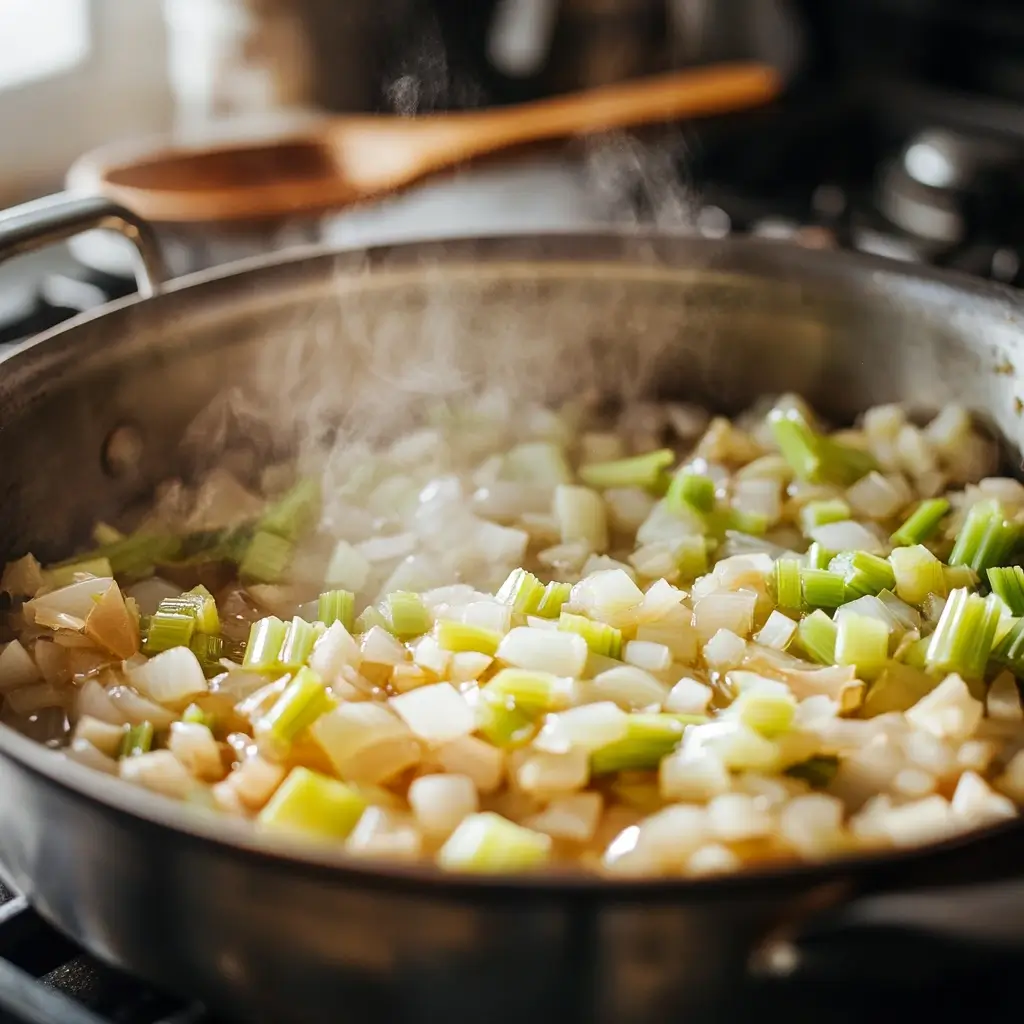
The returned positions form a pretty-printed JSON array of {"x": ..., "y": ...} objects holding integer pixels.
[{"x": 650, "y": 644}]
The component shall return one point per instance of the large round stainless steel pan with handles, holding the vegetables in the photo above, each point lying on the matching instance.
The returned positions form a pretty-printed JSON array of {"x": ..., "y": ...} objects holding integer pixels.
[{"x": 92, "y": 416}]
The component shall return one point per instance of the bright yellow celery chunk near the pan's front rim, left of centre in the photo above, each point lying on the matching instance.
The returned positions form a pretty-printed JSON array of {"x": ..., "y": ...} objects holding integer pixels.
[{"x": 311, "y": 803}]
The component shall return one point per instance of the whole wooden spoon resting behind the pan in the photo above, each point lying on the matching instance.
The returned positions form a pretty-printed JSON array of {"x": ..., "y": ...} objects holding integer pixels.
[{"x": 344, "y": 160}]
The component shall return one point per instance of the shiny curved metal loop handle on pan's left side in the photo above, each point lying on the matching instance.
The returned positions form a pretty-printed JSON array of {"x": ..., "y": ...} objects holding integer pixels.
[{"x": 46, "y": 222}]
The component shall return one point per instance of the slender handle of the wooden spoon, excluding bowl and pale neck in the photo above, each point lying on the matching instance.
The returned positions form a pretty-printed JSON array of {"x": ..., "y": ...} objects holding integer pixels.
[{"x": 697, "y": 93}]
